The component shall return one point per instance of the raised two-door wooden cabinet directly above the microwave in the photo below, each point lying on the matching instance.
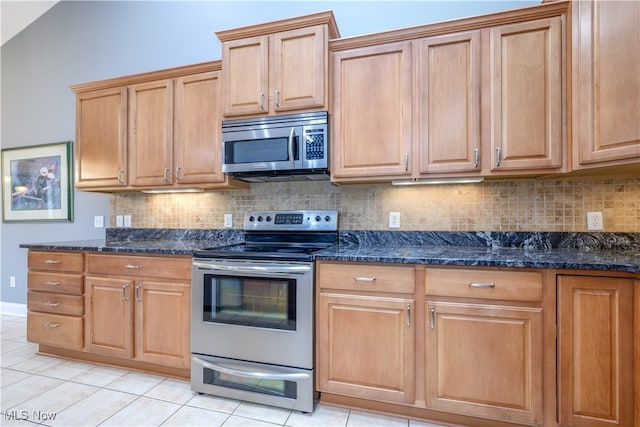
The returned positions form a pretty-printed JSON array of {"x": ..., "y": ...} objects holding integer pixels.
[{"x": 277, "y": 67}]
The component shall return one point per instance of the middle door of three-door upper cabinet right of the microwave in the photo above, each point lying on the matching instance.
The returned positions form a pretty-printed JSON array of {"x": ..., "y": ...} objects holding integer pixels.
[{"x": 449, "y": 70}]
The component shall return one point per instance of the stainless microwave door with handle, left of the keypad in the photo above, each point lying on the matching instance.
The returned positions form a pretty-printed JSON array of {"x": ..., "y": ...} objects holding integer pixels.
[{"x": 261, "y": 150}]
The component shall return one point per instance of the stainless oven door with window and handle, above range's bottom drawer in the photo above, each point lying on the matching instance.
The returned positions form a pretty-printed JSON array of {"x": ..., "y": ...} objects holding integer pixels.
[{"x": 261, "y": 311}]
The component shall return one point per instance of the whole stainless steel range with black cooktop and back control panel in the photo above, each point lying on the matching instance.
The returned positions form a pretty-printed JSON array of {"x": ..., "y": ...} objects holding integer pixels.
[{"x": 253, "y": 310}]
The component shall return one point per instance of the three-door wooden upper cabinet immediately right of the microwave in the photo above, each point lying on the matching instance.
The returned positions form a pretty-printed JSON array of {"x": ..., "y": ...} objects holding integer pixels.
[{"x": 474, "y": 97}]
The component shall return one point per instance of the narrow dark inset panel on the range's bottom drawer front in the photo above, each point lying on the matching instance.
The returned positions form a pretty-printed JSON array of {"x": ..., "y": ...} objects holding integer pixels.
[{"x": 280, "y": 388}]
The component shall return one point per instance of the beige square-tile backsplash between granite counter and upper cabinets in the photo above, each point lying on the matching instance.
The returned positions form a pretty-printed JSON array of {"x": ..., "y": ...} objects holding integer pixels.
[{"x": 518, "y": 205}]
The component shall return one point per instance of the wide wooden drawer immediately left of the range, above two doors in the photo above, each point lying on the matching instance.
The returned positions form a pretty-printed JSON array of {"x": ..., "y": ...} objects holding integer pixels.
[{"x": 123, "y": 265}]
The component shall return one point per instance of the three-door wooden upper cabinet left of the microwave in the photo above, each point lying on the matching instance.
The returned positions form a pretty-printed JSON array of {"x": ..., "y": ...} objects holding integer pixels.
[{"x": 153, "y": 130}]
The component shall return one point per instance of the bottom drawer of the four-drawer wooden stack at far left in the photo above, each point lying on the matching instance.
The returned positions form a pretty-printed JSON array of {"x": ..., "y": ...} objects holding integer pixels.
[{"x": 55, "y": 330}]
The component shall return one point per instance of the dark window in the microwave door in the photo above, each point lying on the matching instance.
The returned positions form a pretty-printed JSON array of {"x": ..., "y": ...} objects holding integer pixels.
[{"x": 260, "y": 150}]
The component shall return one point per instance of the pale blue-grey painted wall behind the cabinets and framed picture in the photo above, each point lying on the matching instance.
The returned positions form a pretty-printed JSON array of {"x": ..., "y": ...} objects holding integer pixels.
[{"x": 83, "y": 41}]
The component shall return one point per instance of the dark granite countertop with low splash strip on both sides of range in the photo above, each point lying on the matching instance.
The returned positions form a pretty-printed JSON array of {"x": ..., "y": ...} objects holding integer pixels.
[{"x": 585, "y": 251}]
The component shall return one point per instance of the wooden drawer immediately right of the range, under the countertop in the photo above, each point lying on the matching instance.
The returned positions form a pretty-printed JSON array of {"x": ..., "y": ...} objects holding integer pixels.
[{"x": 367, "y": 277}]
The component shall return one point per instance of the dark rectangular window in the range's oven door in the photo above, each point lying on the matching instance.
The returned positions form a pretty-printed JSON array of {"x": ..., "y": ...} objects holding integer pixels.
[{"x": 250, "y": 301}]
